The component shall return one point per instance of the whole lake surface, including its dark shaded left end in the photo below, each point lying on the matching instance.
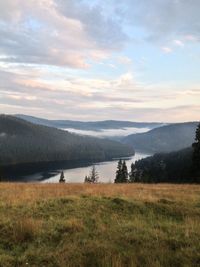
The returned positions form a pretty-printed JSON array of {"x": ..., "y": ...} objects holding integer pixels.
[{"x": 74, "y": 171}]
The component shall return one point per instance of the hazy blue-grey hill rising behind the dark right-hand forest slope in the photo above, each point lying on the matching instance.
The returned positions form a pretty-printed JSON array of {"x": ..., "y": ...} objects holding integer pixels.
[{"x": 164, "y": 139}]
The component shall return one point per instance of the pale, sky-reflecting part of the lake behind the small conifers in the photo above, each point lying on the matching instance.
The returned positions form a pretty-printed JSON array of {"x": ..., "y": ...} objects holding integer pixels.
[{"x": 106, "y": 171}]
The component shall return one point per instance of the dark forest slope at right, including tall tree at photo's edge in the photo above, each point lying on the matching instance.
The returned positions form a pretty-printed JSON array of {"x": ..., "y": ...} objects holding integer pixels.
[{"x": 179, "y": 166}]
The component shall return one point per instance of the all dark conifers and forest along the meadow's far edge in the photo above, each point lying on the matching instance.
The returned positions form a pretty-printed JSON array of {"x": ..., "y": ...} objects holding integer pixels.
[{"x": 180, "y": 166}]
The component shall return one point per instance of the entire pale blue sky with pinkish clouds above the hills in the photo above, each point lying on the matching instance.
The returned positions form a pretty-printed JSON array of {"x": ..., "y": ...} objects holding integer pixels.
[{"x": 135, "y": 60}]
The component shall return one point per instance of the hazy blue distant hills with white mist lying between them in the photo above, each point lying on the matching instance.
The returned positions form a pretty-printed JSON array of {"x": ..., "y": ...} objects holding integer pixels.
[{"x": 145, "y": 137}]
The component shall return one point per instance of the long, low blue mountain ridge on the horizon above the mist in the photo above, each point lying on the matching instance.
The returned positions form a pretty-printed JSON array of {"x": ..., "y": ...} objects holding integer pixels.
[{"x": 88, "y": 125}]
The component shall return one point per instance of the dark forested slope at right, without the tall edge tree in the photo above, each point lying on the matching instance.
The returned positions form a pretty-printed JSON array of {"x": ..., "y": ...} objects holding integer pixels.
[{"x": 166, "y": 167}]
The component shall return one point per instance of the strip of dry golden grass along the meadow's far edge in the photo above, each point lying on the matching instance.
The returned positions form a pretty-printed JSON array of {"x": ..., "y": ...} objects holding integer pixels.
[{"x": 30, "y": 192}]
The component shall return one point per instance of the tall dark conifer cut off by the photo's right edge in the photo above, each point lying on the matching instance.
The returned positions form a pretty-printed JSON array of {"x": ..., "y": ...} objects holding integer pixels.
[{"x": 196, "y": 153}]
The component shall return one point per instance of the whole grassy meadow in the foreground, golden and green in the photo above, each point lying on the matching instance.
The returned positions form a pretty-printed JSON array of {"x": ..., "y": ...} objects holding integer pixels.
[{"x": 99, "y": 225}]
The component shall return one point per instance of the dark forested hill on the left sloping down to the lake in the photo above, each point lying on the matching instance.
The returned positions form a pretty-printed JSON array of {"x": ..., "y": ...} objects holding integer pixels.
[{"x": 24, "y": 142}]
